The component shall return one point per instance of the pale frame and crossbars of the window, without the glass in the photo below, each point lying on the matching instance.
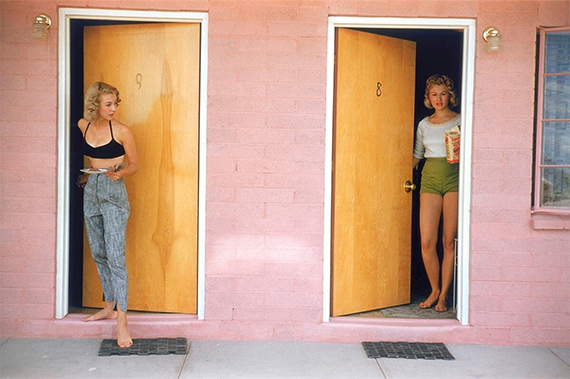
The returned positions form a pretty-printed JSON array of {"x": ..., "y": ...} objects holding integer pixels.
[{"x": 539, "y": 122}]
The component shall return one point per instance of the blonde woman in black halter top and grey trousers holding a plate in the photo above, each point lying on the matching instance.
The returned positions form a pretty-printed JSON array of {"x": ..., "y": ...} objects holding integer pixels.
[{"x": 111, "y": 149}]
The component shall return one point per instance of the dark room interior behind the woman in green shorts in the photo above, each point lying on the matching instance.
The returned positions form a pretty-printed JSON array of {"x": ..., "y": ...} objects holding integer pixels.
[{"x": 438, "y": 51}]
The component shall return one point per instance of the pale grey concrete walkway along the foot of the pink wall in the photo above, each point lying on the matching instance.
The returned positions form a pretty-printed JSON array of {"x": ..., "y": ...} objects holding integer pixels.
[{"x": 77, "y": 358}]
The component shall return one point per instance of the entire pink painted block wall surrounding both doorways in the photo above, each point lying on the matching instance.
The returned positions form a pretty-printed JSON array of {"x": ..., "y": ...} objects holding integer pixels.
[{"x": 265, "y": 177}]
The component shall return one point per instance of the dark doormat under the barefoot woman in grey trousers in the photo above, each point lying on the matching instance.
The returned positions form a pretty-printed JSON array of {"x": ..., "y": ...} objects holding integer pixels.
[{"x": 145, "y": 346}]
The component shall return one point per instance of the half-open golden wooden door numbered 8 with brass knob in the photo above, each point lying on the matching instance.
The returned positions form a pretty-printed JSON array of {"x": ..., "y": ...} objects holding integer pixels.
[{"x": 373, "y": 145}]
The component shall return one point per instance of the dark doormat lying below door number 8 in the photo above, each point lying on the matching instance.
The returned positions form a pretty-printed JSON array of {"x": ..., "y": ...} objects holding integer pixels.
[{"x": 408, "y": 350}]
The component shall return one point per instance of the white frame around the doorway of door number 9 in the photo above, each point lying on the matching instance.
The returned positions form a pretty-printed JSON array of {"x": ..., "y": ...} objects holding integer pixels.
[{"x": 64, "y": 125}]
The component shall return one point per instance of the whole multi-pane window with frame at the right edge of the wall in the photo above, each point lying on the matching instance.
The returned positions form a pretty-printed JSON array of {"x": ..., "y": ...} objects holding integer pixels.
[{"x": 552, "y": 175}]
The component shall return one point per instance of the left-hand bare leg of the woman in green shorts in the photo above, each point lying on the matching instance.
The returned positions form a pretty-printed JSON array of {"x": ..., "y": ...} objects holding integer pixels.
[{"x": 430, "y": 212}]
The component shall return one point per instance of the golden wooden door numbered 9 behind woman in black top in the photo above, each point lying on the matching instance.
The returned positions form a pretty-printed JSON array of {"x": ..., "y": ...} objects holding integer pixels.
[{"x": 156, "y": 69}]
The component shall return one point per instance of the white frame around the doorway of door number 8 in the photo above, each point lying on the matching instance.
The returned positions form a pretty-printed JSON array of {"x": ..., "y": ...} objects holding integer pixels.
[{"x": 467, "y": 90}]
